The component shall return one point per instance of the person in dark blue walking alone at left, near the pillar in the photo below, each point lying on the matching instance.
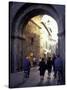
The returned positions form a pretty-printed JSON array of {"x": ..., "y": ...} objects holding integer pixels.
[{"x": 26, "y": 67}]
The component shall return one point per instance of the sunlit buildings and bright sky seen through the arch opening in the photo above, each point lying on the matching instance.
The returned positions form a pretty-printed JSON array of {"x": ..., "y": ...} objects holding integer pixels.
[{"x": 40, "y": 37}]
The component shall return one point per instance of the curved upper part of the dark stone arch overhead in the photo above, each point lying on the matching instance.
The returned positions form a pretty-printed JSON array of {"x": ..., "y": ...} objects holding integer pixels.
[{"x": 31, "y": 11}]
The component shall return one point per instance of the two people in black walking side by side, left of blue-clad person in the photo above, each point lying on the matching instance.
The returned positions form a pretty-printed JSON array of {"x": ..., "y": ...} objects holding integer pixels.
[{"x": 45, "y": 65}]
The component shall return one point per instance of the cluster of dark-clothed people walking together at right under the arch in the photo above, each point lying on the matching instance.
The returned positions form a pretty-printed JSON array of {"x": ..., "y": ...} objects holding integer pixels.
[{"x": 56, "y": 62}]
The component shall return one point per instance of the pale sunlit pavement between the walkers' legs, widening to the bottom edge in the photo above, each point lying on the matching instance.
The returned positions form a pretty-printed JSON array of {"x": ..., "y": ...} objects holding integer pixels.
[{"x": 34, "y": 79}]
